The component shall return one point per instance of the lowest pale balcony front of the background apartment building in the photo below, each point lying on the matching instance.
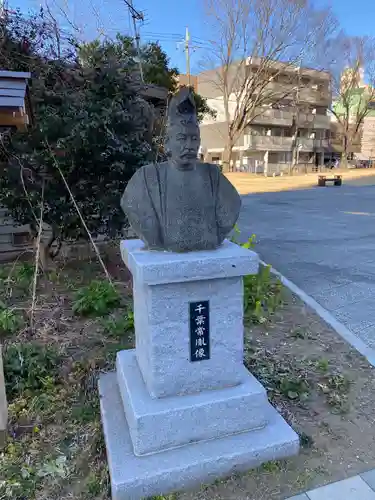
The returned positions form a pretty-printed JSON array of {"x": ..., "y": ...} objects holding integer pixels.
[{"x": 274, "y": 143}]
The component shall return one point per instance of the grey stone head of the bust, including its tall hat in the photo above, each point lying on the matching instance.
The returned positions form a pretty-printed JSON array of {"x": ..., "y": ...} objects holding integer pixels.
[{"x": 182, "y": 134}]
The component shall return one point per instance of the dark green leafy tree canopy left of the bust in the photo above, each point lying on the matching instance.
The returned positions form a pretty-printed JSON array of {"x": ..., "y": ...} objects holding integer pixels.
[{"x": 92, "y": 127}]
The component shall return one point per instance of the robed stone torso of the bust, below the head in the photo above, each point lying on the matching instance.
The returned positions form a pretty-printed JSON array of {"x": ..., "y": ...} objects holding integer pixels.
[{"x": 181, "y": 210}]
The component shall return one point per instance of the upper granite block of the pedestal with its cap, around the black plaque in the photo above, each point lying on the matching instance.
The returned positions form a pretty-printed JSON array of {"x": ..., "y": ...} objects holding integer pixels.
[{"x": 161, "y": 313}]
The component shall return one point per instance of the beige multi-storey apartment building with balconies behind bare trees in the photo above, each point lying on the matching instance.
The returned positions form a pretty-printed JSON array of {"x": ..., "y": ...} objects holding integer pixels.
[{"x": 294, "y": 123}]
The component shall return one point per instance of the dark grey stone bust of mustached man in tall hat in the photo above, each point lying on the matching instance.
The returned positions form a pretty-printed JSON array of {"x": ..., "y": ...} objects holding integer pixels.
[{"x": 181, "y": 205}]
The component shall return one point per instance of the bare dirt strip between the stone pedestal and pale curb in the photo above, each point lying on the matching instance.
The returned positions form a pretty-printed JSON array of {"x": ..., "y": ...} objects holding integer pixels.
[{"x": 331, "y": 406}]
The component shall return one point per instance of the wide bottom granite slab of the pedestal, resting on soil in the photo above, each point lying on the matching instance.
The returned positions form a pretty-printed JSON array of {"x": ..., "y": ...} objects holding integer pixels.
[{"x": 135, "y": 478}]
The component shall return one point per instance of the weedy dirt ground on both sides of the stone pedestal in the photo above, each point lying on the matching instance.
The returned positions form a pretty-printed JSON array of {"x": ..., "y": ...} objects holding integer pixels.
[{"x": 324, "y": 389}]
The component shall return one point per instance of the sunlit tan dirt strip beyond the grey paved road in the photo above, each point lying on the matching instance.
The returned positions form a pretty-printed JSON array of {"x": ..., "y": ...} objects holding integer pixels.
[{"x": 247, "y": 183}]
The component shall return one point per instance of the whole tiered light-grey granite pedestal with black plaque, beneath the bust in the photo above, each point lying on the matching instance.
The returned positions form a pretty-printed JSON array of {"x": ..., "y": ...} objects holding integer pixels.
[{"x": 181, "y": 409}]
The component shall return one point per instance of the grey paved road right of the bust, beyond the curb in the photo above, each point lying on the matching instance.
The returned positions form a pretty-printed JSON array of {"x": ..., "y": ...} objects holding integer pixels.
[{"x": 322, "y": 239}]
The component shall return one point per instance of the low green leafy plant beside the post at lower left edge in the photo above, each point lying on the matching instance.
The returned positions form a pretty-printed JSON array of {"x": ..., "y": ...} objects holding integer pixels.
[{"x": 29, "y": 367}]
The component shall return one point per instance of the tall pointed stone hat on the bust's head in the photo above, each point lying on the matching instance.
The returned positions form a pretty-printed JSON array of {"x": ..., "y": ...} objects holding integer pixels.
[{"x": 181, "y": 108}]
